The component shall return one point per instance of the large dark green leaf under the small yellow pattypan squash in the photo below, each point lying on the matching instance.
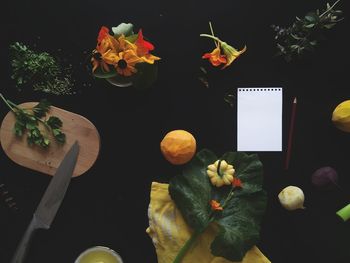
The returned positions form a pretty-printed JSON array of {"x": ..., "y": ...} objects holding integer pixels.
[{"x": 239, "y": 222}]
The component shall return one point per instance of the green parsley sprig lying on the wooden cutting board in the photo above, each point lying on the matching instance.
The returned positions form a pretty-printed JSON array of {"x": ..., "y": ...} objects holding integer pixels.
[{"x": 32, "y": 121}]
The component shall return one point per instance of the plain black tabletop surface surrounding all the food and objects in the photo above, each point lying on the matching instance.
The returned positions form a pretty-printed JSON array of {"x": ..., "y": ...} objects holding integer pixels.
[{"x": 108, "y": 205}]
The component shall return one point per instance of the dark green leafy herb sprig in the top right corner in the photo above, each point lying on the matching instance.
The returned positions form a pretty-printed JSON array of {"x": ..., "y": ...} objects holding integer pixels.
[{"x": 305, "y": 33}]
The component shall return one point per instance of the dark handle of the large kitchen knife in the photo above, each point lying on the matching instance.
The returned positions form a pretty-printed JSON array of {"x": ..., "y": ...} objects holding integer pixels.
[{"x": 23, "y": 245}]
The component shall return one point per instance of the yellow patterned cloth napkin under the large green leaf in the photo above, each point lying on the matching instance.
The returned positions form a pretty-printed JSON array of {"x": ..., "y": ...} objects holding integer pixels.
[{"x": 169, "y": 232}]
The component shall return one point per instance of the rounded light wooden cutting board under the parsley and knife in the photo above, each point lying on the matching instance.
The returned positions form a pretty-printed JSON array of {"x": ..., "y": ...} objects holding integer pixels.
[{"x": 76, "y": 127}]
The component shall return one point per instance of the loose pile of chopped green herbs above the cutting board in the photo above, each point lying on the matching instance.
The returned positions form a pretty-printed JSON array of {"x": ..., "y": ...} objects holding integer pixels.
[{"x": 39, "y": 70}]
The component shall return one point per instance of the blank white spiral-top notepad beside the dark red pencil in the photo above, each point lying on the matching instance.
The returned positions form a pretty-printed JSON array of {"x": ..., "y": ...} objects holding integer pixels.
[{"x": 259, "y": 119}]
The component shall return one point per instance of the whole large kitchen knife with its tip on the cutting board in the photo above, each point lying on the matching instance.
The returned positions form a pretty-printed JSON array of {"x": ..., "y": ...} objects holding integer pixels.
[{"x": 50, "y": 202}]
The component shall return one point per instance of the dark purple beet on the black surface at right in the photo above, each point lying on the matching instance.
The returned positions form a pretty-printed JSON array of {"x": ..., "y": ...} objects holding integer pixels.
[{"x": 325, "y": 177}]
